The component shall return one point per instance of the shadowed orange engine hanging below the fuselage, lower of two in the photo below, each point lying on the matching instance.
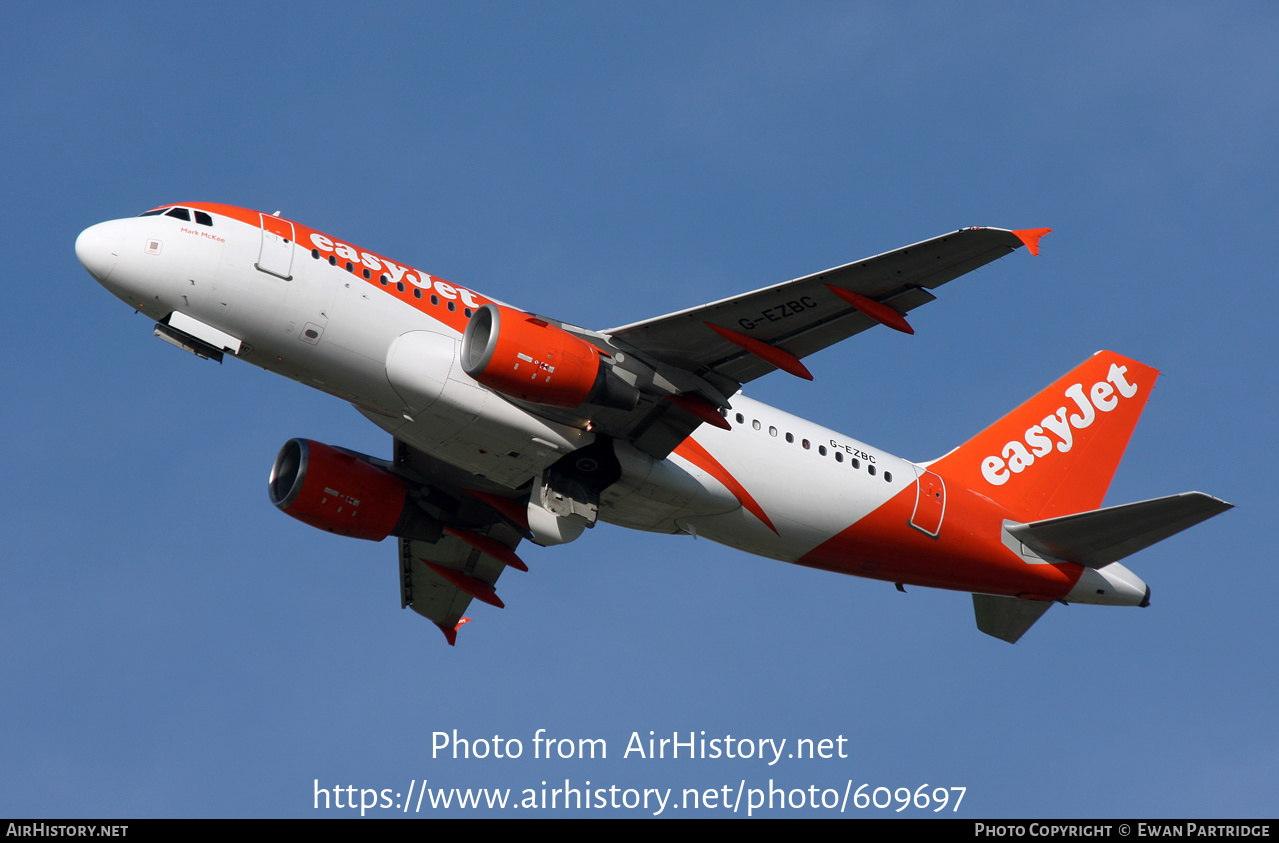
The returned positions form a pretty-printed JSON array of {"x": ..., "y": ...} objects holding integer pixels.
[{"x": 340, "y": 493}]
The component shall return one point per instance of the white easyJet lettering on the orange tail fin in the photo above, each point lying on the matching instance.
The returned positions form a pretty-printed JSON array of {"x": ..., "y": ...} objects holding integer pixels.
[{"x": 1057, "y": 430}]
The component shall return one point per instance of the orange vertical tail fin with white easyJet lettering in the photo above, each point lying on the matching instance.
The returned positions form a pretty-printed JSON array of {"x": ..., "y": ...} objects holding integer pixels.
[{"x": 1057, "y": 453}]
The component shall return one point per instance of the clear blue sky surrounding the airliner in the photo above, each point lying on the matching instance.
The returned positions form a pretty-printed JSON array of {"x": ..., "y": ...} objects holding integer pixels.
[{"x": 173, "y": 647}]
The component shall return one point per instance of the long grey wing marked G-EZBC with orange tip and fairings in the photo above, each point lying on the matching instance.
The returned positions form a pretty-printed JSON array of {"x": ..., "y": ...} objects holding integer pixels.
[{"x": 713, "y": 350}]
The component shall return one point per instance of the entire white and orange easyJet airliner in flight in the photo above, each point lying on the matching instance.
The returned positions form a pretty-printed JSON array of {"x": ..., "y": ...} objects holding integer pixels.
[{"x": 510, "y": 425}]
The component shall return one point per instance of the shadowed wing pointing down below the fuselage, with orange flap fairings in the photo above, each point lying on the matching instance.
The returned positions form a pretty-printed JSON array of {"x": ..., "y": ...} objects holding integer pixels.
[{"x": 441, "y": 579}]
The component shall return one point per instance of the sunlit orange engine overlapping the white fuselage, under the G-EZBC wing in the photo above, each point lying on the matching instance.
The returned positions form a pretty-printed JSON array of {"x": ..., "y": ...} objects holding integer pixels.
[{"x": 529, "y": 359}]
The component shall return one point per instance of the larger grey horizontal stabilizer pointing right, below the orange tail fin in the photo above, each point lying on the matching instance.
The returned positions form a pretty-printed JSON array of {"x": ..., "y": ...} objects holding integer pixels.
[{"x": 1095, "y": 539}]
